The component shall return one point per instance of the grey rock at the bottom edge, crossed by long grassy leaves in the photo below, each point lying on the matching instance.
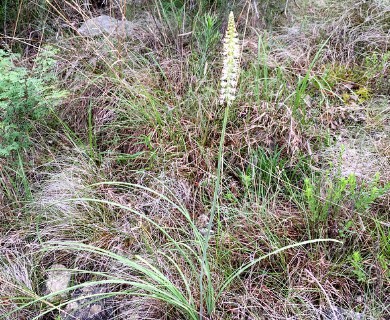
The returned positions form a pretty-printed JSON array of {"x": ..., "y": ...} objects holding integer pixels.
[{"x": 87, "y": 304}]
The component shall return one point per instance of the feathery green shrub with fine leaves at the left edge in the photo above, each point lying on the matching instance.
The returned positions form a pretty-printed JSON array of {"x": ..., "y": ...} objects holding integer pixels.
[{"x": 25, "y": 96}]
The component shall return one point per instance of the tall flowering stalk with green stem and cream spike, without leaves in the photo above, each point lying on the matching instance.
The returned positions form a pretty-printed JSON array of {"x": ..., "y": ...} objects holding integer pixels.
[{"x": 229, "y": 79}]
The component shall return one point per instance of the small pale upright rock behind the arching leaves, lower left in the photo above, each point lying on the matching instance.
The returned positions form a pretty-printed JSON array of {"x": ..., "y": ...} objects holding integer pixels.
[{"x": 57, "y": 280}]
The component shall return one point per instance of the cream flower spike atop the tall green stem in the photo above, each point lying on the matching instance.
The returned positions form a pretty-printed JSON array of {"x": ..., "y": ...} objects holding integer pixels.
[{"x": 231, "y": 63}]
